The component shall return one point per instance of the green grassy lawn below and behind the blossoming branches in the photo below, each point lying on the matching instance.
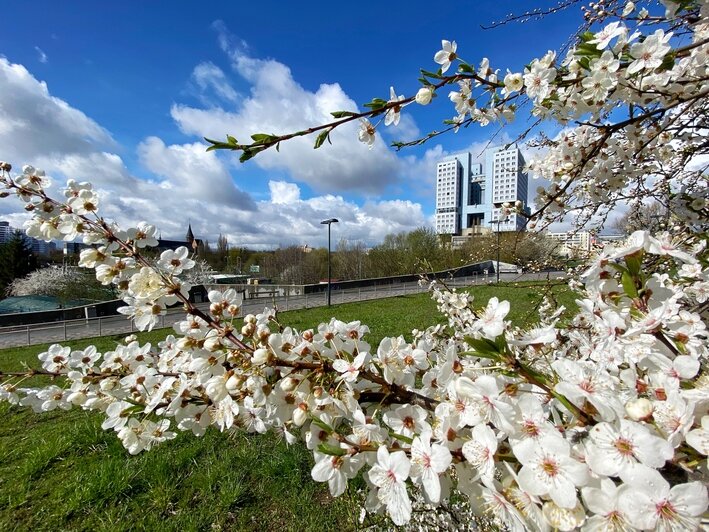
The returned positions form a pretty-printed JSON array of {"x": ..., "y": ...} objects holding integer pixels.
[{"x": 61, "y": 471}]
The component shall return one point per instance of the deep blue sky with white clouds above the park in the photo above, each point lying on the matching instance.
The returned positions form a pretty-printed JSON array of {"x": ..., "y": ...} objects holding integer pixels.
[{"x": 122, "y": 96}]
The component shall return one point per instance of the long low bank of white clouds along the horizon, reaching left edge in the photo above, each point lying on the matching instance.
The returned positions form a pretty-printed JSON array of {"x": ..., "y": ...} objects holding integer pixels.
[{"x": 185, "y": 183}]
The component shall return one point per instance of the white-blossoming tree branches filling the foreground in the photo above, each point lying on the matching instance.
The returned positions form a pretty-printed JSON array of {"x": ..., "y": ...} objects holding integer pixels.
[{"x": 597, "y": 421}]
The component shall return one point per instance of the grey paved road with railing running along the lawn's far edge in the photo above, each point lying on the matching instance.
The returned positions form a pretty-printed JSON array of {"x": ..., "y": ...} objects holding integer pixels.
[{"x": 115, "y": 325}]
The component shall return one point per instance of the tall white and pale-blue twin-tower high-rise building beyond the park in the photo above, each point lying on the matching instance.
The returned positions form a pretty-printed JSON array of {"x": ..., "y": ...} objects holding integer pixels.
[{"x": 469, "y": 195}]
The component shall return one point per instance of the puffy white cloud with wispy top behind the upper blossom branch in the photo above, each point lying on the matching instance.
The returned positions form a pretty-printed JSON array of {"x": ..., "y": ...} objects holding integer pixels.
[{"x": 278, "y": 104}]
